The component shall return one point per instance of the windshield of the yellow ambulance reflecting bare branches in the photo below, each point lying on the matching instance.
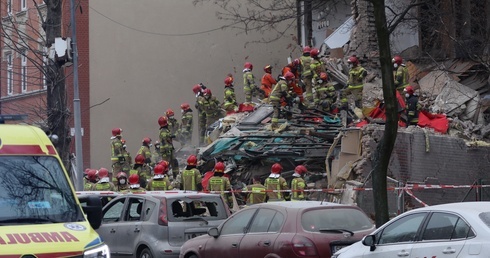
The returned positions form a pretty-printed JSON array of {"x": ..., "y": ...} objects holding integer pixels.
[{"x": 34, "y": 189}]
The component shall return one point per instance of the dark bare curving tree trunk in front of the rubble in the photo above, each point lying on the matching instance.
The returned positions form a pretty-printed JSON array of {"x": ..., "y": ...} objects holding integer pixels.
[{"x": 384, "y": 149}]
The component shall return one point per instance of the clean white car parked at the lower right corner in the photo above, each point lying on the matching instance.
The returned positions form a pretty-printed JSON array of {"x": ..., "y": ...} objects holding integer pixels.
[{"x": 446, "y": 230}]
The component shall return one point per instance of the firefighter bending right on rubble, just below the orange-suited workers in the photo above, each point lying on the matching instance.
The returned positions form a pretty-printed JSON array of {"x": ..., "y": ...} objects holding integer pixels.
[{"x": 280, "y": 91}]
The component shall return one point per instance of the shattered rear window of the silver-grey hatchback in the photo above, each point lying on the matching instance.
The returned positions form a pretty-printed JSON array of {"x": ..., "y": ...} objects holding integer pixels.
[{"x": 203, "y": 208}]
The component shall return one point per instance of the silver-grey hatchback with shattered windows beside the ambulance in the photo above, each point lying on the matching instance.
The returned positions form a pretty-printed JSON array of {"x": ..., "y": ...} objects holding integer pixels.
[{"x": 156, "y": 224}]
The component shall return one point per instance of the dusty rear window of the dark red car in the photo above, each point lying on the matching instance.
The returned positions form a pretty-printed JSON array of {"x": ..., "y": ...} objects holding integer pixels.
[{"x": 335, "y": 220}]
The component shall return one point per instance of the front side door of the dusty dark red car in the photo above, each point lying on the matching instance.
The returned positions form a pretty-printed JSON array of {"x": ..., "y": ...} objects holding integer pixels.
[{"x": 231, "y": 233}]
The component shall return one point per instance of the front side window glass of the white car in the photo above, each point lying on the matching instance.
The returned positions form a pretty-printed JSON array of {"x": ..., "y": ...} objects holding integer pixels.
[{"x": 402, "y": 230}]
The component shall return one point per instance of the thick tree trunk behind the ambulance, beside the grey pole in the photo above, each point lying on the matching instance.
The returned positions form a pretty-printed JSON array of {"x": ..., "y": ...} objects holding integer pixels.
[{"x": 57, "y": 111}]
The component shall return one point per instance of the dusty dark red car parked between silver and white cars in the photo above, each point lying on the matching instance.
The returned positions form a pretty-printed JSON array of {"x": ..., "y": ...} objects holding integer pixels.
[{"x": 283, "y": 229}]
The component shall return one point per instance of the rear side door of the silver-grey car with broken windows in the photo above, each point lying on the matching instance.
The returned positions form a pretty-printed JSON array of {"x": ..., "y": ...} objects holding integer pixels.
[{"x": 130, "y": 228}]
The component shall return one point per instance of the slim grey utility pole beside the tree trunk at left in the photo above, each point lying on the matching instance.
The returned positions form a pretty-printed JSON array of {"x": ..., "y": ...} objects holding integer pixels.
[{"x": 76, "y": 101}]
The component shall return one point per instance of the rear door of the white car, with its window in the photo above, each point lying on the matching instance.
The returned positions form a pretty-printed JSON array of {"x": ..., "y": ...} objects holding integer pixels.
[{"x": 444, "y": 236}]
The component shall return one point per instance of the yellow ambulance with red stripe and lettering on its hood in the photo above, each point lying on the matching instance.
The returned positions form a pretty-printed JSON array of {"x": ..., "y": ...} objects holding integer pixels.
[{"x": 40, "y": 215}]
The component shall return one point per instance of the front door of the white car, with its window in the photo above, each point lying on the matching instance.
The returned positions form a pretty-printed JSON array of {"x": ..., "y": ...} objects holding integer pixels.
[{"x": 397, "y": 237}]
